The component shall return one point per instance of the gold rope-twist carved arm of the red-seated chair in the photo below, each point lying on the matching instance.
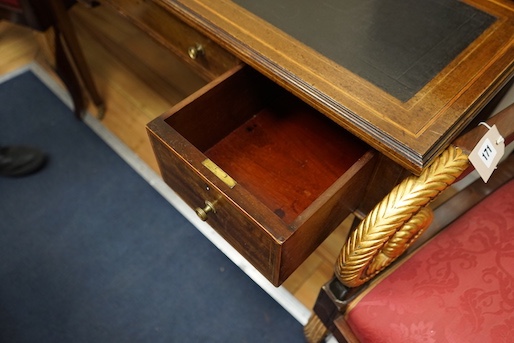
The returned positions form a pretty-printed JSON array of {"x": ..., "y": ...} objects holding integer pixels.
[{"x": 375, "y": 241}]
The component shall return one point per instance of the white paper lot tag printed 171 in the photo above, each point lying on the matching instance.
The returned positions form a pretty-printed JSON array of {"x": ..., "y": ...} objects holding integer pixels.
[{"x": 488, "y": 152}]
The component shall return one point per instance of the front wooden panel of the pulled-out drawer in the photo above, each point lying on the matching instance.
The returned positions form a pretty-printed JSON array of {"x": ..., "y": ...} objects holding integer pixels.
[{"x": 188, "y": 179}]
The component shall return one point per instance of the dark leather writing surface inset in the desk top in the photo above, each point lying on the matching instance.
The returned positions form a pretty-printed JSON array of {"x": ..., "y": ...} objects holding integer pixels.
[{"x": 398, "y": 45}]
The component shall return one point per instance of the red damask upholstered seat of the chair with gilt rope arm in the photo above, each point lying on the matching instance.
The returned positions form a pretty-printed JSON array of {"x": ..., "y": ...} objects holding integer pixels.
[{"x": 457, "y": 288}]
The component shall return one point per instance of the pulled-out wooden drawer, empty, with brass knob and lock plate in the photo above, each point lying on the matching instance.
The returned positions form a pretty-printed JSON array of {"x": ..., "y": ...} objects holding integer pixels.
[{"x": 269, "y": 173}]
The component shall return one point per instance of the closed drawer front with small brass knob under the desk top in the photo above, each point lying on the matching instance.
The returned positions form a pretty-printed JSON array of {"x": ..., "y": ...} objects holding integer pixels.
[{"x": 205, "y": 56}]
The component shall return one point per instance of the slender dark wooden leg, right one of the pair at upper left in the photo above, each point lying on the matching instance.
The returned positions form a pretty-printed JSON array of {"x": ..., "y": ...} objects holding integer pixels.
[{"x": 65, "y": 26}]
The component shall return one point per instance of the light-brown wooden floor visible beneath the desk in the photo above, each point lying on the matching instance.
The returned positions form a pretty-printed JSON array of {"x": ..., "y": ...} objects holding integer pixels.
[{"x": 138, "y": 80}]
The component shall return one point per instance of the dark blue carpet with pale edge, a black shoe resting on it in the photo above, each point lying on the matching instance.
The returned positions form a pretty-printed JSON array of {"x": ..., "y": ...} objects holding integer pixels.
[{"x": 89, "y": 252}]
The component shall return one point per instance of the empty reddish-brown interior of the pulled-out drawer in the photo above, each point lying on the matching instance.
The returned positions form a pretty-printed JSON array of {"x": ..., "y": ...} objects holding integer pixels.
[{"x": 280, "y": 149}]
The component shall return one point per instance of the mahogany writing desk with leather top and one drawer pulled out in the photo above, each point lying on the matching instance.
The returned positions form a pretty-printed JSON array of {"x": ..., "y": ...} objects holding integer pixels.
[{"x": 316, "y": 109}]
